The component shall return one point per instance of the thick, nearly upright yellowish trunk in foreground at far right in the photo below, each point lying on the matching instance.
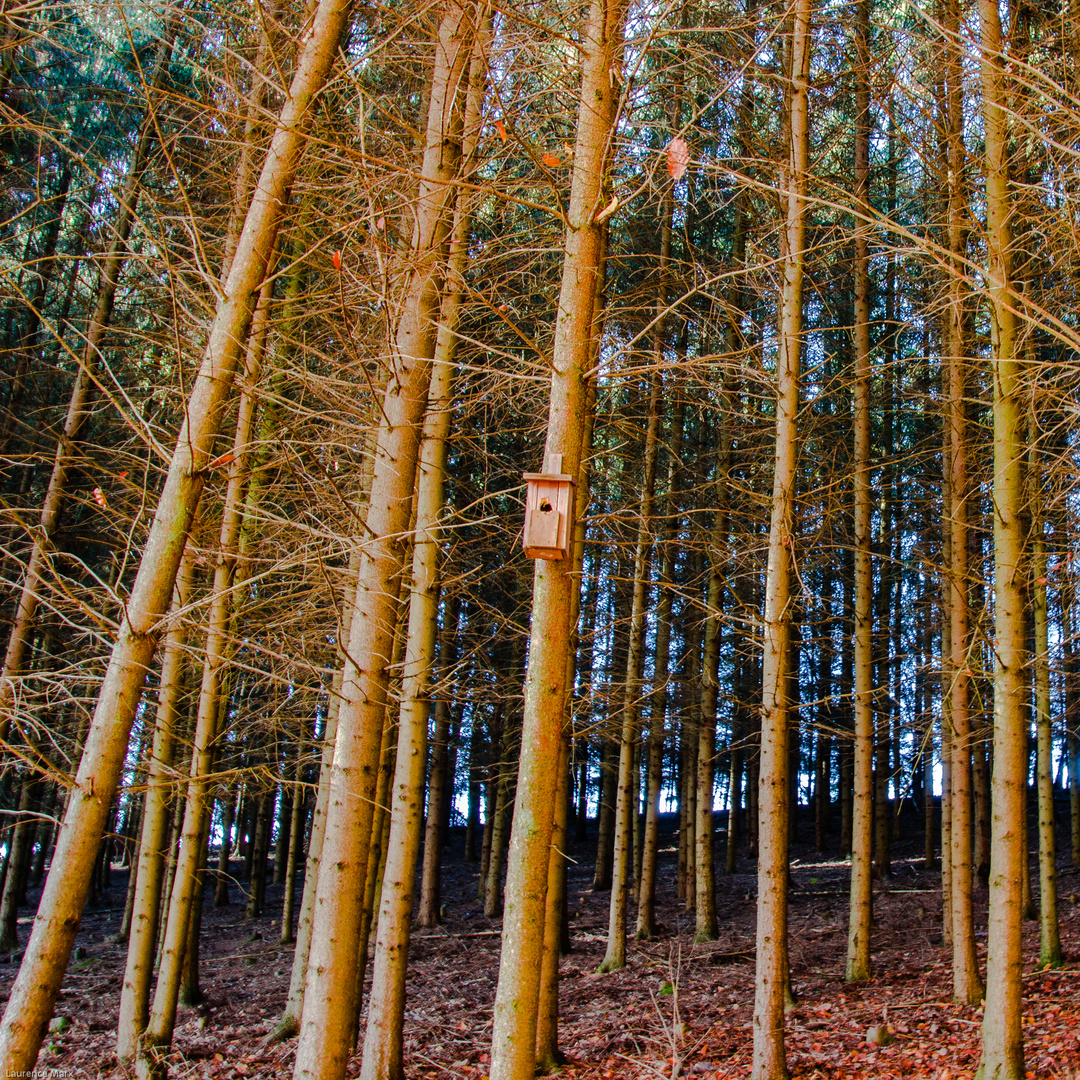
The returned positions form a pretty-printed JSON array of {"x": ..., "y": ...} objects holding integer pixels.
[{"x": 1003, "y": 1057}]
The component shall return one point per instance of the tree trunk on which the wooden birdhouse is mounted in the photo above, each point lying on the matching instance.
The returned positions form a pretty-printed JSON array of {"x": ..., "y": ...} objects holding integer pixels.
[{"x": 514, "y": 1037}]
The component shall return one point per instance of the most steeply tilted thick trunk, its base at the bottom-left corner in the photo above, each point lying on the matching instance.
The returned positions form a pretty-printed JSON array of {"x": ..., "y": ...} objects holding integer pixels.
[{"x": 37, "y": 987}]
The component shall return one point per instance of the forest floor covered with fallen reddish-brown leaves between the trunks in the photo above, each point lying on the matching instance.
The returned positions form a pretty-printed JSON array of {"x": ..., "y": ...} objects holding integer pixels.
[{"x": 677, "y": 1010}]
